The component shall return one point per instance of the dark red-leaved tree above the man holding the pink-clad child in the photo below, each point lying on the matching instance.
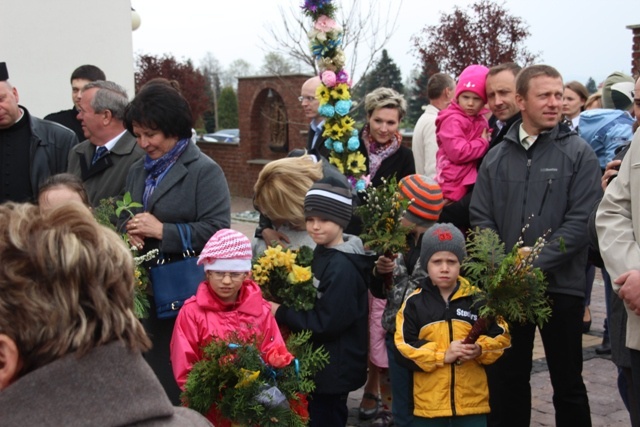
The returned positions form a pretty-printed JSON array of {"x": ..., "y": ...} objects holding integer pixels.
[{"x": 484, "y": 33}]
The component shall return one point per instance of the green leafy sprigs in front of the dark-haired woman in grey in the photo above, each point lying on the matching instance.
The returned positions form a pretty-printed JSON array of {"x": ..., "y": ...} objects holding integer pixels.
[{"x": 104, "y": 213}]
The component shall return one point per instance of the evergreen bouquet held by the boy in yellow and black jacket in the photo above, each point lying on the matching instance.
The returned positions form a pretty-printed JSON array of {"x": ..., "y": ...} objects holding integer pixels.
[{"x": 507, "y": 284}]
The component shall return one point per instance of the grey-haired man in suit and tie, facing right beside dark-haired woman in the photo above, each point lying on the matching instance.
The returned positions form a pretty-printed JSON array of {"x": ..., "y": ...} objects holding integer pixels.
[{"x": 104, "y": 159}]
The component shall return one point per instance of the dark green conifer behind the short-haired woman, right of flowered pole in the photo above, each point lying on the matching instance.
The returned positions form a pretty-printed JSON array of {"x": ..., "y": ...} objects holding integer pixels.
[{"x": 385, "y": 73}]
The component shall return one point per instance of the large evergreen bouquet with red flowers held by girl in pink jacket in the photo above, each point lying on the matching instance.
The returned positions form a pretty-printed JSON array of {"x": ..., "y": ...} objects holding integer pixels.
[{"x": 253, "y": 389}]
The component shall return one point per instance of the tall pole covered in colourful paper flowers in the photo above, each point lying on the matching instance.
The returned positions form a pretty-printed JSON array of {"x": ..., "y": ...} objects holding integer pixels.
[{"x": 325, "y": 41}]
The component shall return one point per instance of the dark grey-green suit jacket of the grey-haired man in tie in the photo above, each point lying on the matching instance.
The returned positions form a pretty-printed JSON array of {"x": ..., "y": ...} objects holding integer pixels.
[{"x": 107, "y": 177}]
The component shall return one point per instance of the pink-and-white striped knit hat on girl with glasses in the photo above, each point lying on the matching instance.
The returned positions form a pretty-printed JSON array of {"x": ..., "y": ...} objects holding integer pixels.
[{"x": 227, "y": 250}]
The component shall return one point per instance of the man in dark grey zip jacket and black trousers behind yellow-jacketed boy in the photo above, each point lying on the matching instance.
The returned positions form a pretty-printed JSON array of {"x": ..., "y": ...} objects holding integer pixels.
[{"x": 544, "y": 177}]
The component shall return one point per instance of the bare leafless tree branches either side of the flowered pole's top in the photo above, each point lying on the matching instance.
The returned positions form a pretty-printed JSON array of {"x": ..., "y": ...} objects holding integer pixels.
[{"x": 368, "y": 26}]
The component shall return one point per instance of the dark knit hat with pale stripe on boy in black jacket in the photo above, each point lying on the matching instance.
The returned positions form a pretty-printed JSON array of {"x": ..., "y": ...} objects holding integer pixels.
[{"x": 329, "y": 199}]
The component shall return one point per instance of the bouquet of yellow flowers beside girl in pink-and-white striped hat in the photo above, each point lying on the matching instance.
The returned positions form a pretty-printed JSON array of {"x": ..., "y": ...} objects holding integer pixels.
[{"x": 285, "y": 276}]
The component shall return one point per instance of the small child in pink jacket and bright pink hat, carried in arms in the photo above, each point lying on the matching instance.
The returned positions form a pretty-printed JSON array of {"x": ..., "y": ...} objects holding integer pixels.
[{"x": 462, "y": 132}]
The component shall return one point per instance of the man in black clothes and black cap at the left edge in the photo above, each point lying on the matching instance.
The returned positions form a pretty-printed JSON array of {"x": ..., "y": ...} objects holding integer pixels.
[{"x": 31, "y": 149}]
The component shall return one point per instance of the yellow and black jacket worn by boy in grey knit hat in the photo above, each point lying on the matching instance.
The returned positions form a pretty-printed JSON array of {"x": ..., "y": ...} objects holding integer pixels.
[{"x": 425, "y": 326}]
